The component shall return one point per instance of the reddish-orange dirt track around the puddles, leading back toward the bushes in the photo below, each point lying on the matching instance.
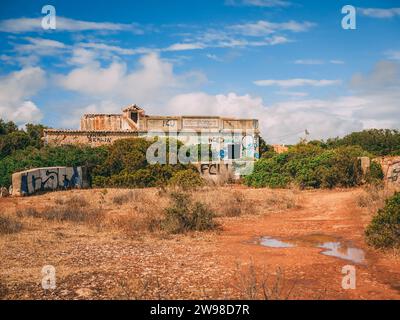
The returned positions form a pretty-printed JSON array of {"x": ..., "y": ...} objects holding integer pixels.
[{"x": 324, "y": 214}]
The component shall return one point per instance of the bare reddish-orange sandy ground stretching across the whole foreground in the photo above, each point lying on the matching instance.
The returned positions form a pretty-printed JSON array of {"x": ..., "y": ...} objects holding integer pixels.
[{"x": 108, "y": 264}]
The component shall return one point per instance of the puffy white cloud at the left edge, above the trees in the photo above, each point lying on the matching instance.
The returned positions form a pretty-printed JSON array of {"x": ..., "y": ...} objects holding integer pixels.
[{"x": 16, "y": 91}]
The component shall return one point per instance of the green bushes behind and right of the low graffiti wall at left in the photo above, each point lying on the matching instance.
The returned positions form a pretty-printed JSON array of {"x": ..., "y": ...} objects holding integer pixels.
[{"x": 122, "y": 164}]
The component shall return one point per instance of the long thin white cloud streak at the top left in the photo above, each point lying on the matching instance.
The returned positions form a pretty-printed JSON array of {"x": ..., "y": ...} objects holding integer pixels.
[{"x": 21, "y": 25}]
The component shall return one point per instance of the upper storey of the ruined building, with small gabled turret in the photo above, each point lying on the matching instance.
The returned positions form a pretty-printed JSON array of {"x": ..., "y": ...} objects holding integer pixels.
[{"x": 133, "y": 118}]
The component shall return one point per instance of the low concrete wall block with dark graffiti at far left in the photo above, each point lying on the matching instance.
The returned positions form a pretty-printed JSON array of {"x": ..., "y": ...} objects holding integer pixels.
[{"x": 51, "y": 178}]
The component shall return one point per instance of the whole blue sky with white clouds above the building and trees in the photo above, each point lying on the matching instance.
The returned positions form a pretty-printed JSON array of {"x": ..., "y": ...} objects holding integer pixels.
[{"x": 288, "y": 63}]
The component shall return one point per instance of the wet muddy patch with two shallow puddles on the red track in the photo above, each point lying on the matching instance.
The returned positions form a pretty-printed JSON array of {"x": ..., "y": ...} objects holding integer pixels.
[{"x": 332, "y": 246}]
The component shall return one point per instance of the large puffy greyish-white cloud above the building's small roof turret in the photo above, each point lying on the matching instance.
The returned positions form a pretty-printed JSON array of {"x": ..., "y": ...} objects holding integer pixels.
[{"x": 152, "y": 81}]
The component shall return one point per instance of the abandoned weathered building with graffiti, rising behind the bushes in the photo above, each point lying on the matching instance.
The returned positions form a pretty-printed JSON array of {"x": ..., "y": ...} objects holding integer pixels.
[{"x": 228, "y": 138}]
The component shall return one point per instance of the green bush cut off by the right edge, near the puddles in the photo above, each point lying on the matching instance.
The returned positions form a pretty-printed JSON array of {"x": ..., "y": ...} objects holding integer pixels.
[{"x": 384, "y": 229}]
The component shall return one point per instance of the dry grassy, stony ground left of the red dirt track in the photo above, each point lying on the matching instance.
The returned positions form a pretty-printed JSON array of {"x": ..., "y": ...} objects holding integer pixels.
[{"x": 117, "y": 225}]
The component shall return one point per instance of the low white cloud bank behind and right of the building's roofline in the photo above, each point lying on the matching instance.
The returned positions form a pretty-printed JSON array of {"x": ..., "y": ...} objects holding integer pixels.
[{"x": 279, "y": 123}]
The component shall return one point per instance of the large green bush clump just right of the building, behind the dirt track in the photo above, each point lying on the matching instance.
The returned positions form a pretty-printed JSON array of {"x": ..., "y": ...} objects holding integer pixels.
[{"x": 309, "y": 166}]
